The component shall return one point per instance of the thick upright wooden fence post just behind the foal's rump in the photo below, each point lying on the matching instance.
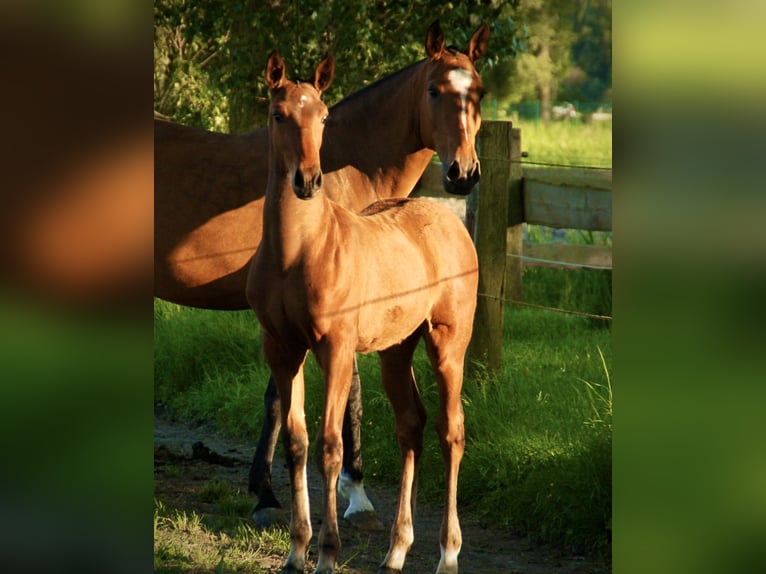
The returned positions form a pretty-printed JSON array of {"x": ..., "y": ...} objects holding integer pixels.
[{"x": 494, "y": 142}]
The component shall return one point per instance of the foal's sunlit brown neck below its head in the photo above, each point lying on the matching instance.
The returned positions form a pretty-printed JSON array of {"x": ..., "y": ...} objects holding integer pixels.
[{"x": 291, "y": 225}]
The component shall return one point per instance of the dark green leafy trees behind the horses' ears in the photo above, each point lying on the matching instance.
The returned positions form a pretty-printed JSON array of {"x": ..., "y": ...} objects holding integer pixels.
[{"x": 209, "y": 56}]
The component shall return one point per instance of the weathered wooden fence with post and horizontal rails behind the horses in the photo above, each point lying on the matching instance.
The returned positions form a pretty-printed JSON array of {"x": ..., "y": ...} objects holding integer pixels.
[{"x": 508, "y": 196}]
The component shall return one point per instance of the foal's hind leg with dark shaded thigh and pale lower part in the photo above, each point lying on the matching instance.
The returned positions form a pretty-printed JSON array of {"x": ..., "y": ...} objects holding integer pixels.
[{"x": 410, "y": 420}]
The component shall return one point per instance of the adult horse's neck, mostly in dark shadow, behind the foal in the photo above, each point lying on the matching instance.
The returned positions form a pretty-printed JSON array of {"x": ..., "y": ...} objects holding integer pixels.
[{"x": 378, "y": 134}]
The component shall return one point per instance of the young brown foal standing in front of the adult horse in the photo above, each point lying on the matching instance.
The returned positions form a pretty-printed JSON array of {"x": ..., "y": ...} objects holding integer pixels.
[{"x": 321, "y": 282}]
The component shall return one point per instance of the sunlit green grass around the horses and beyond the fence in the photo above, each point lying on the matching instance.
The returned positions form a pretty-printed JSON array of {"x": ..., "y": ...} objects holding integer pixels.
[{"x": 538, "y": 433}]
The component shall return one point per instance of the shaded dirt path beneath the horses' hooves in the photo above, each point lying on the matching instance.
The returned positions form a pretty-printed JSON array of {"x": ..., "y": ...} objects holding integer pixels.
[{"x": 485, "y": 550}]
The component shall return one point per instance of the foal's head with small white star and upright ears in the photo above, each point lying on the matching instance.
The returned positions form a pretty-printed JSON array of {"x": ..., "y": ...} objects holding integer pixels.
[{"x": 296, "y": 122}]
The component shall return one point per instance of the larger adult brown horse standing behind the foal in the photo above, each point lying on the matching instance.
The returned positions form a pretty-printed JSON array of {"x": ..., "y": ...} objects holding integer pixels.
[{"x": 209, "y": 196}]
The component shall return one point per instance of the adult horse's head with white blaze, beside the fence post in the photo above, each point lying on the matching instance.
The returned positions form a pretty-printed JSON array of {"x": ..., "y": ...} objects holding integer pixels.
[{"x": 451, "y": 107}]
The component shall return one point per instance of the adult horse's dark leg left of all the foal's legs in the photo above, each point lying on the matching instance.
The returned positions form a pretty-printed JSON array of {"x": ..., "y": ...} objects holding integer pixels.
[{"x": 267, "y": 511}]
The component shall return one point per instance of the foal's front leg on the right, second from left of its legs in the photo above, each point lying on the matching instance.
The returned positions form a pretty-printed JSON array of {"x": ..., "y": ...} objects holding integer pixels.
[{"x": 336, "y": 362}]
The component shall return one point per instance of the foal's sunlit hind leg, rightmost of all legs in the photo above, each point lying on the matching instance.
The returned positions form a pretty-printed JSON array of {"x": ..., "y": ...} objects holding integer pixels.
[{"x": 447, "y": 354}]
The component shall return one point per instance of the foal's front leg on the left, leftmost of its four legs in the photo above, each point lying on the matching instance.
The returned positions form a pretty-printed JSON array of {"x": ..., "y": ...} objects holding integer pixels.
[{"x": 287, "y": 368}]
